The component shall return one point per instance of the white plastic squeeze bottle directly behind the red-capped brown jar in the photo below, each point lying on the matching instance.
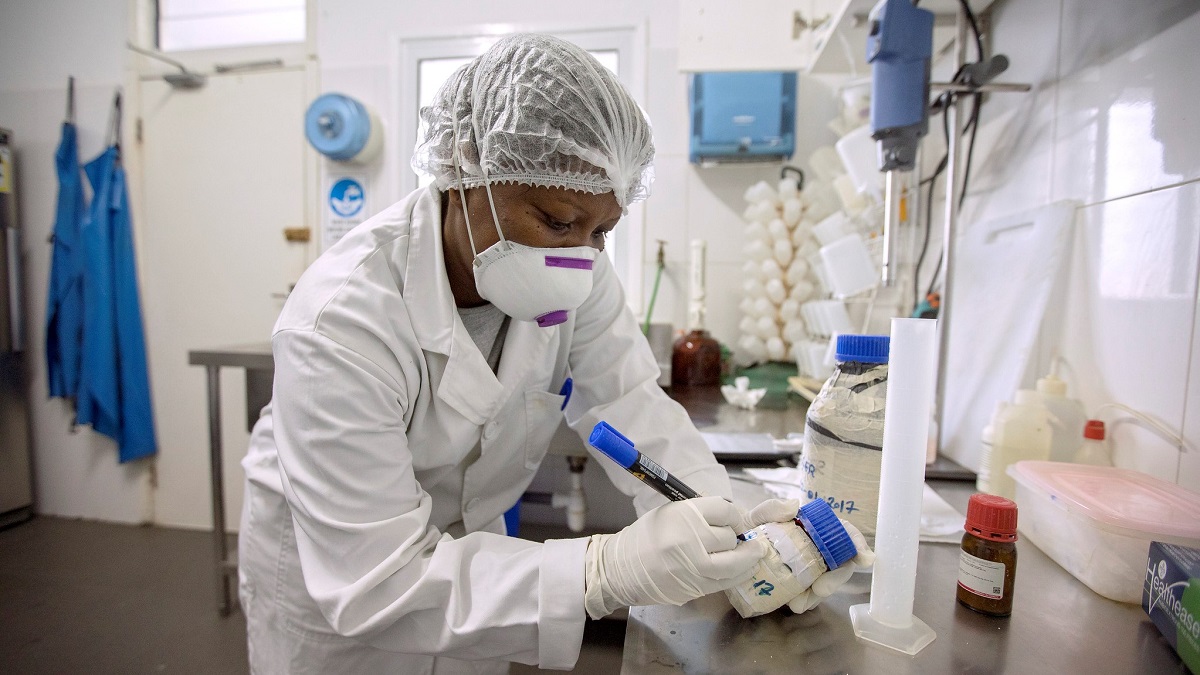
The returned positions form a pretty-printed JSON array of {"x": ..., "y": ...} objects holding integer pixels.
[{"x": 1023, "y": 433}]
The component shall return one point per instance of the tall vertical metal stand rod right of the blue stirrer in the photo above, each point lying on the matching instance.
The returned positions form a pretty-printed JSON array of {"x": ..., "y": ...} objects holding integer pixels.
[{"x": 950, "y": 237}]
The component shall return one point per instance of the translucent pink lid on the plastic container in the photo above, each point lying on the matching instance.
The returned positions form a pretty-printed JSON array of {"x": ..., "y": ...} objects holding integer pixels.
[{"x": 1118, "y": 500}]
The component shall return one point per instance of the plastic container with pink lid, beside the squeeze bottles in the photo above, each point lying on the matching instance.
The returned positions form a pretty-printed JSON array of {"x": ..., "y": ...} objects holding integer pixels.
[{"x": 1099, "y": 522}]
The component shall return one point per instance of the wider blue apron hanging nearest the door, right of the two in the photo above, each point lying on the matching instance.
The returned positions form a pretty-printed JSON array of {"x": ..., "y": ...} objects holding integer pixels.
[{"x": 115, "y": 385}]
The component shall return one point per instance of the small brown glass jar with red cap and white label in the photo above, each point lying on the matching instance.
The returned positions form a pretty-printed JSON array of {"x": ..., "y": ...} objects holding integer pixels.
[{"x": 988, "y": 561}]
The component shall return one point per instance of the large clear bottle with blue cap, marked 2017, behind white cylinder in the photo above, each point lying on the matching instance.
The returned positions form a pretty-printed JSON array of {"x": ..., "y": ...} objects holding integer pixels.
[{"x": 844, "y": 433}]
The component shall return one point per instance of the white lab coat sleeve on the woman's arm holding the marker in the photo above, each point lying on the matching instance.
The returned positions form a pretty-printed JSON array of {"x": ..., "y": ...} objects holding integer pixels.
[{"x": 373, "y": 563}]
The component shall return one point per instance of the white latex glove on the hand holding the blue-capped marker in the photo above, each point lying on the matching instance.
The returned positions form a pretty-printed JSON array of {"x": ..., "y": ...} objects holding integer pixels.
[{"x": 674, "y": 554}]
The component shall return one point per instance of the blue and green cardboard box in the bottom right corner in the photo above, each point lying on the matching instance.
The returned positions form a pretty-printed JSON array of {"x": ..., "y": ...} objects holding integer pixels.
[{"x": 1172, "y": 599}]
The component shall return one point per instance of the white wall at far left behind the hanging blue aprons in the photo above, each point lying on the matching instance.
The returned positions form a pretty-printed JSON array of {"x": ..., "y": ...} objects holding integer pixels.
[{"x": 41, "y": 44}]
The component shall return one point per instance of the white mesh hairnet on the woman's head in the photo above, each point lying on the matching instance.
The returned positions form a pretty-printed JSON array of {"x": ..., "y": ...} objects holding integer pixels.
[{"x": 539, "y": 111}]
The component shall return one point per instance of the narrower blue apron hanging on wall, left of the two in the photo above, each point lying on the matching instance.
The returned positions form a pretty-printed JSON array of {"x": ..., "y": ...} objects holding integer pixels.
[{"x": 64, "y": 307}]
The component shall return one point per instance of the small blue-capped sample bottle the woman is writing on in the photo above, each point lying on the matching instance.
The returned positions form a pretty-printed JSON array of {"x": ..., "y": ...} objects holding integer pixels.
[{"x": 800, "y": 553}]
